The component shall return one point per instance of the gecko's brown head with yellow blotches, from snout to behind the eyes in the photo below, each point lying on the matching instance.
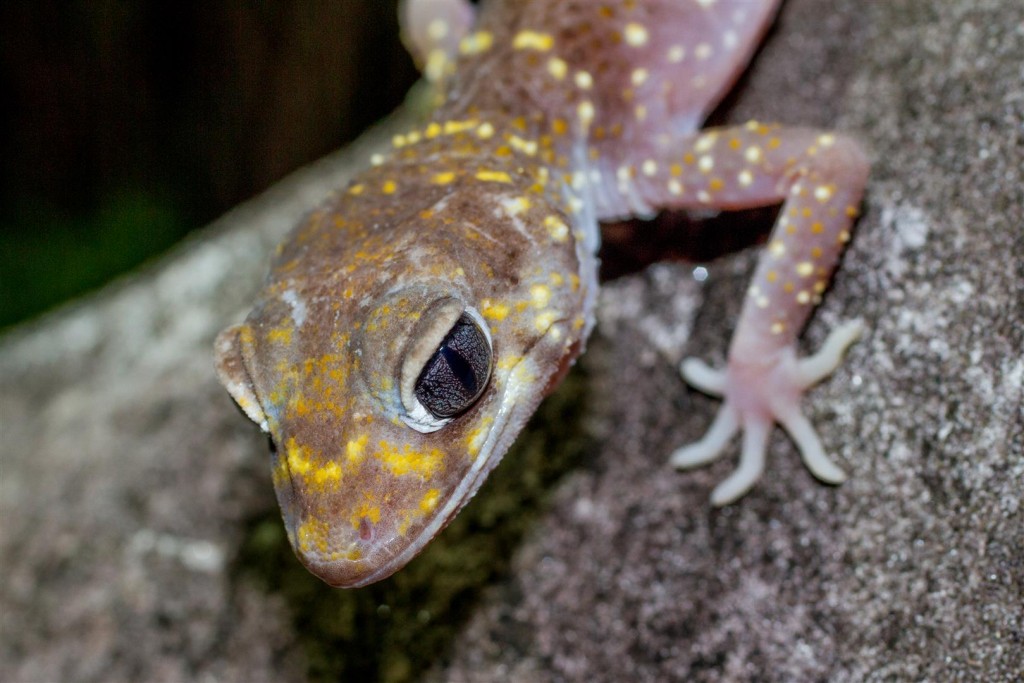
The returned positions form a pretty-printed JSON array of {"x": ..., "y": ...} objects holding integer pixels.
[{"x": 391, "y": 391}]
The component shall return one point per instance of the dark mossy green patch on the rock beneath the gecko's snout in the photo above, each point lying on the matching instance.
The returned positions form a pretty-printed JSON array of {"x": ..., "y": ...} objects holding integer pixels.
[{"x": 396, "y": 630}]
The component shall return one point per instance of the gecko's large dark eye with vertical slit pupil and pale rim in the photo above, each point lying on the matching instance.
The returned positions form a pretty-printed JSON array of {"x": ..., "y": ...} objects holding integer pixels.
[{"x": 453, "y": 371}]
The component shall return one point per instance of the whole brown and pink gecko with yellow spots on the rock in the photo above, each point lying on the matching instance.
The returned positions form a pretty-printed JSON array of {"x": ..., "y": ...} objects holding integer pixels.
[{"x": 412, "y": 324}]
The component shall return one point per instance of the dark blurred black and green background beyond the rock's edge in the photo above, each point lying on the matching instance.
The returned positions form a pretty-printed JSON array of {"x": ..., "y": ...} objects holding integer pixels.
[{"x": 124, "y": 125}]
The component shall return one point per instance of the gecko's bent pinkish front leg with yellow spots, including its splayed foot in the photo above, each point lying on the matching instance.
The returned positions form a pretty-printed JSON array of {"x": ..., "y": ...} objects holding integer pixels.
[{"x": 820, "y": 179}]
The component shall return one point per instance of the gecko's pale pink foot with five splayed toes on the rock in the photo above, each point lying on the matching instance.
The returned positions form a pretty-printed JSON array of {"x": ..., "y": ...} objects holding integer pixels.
[{"x": 757, "y": 395}]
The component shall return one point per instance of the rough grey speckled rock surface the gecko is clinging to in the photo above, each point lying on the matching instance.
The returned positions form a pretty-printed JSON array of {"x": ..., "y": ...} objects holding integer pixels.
[{"x": 129, "y": 486}]
